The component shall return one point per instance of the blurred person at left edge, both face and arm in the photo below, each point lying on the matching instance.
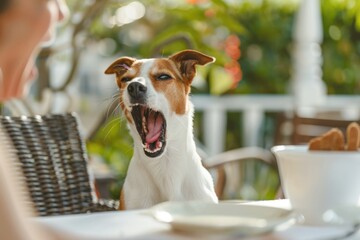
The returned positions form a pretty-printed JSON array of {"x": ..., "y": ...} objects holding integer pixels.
[{"x": 25, "y": 25}]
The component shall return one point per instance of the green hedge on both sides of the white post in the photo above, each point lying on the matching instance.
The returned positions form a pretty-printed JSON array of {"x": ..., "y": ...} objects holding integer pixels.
[{"x": 266, "y": 49}]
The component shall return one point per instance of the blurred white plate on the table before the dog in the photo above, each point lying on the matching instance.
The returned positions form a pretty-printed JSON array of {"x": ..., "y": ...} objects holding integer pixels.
[{"x": 239, "y": 219}]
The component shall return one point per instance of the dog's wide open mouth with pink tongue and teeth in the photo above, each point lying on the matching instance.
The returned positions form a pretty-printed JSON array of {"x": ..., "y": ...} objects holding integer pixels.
[{"x": 151, "y": 126}]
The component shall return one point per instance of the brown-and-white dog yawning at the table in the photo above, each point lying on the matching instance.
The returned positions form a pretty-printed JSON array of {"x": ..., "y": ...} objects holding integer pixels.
[{"x": 154, "y": 98}]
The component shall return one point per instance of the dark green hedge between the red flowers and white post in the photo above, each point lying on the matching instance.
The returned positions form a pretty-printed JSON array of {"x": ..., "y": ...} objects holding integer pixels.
[{"x": 265, "y": 58}]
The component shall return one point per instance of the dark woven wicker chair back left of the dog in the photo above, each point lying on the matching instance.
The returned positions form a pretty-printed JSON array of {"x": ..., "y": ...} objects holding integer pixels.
[{"x": 53, "y": 160}]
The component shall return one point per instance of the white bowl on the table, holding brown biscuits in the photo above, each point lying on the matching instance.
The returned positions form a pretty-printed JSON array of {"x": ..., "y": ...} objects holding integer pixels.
[{"x": 316, "y": 181}]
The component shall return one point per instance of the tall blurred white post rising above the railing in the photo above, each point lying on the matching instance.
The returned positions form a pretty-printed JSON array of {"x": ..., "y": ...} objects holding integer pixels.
[{"x": 307, "y": 86}]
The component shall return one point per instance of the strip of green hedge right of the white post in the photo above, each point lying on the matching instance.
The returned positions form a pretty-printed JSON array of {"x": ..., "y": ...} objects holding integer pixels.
[{"x": 341, "y": 46}]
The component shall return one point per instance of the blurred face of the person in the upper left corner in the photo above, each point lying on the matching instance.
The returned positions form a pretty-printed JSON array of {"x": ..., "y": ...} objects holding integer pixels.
[{"x": 25, "y": 25}]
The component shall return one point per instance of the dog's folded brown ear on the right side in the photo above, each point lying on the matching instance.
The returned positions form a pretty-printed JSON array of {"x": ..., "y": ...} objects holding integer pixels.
[{"x": 187, "y": 60}]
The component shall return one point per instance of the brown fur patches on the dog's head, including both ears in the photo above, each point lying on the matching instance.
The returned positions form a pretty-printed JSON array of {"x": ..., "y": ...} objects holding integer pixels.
[{"x": 172, "y": 76}]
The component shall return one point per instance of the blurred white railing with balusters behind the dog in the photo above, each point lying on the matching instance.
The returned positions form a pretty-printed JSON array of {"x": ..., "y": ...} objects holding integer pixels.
[{"x": 253, "y": 109}]
